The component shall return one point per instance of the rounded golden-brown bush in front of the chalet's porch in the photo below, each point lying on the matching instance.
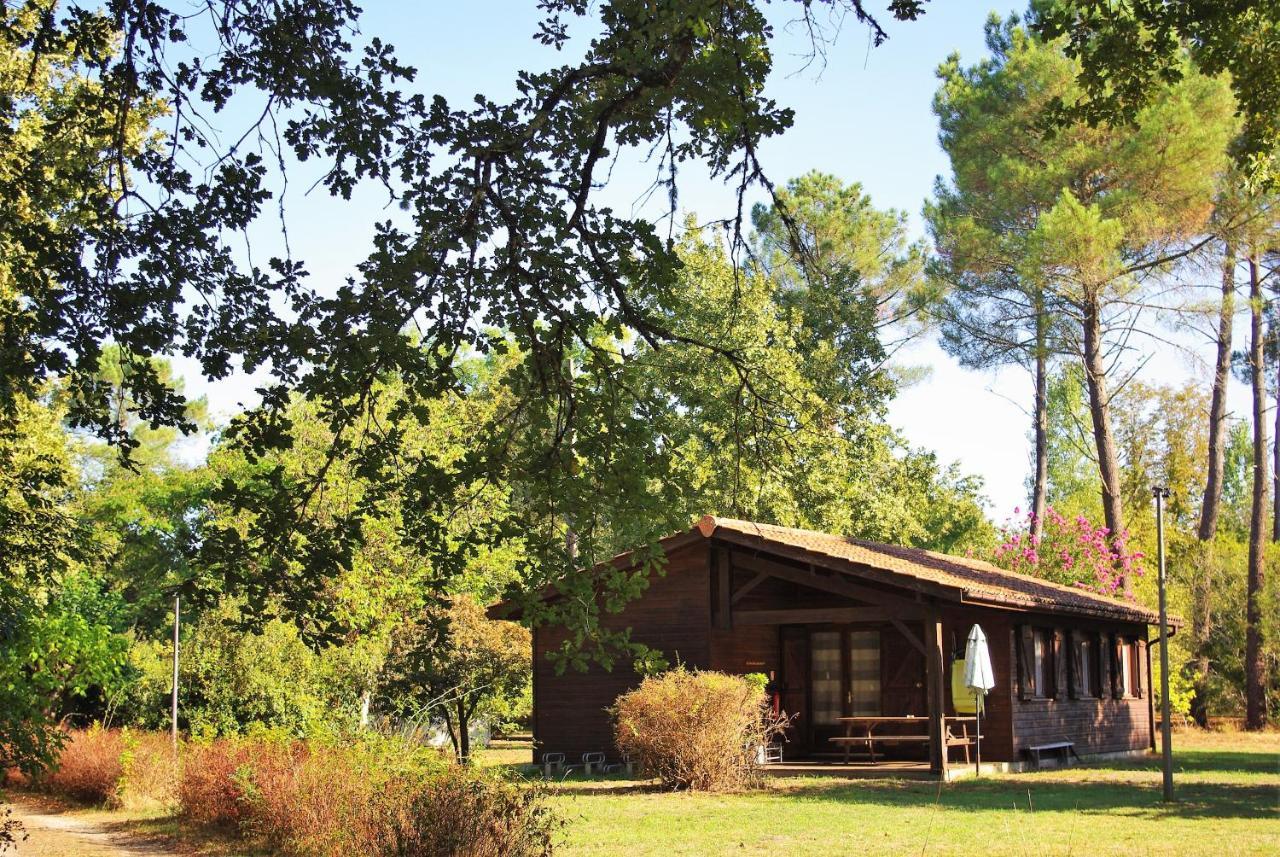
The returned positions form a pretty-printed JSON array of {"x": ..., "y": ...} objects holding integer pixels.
[{"x": 696, "y": 731}]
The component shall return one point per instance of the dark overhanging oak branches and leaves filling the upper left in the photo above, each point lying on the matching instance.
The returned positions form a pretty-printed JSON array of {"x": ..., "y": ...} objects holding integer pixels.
[{"x": 139, "y": 245}]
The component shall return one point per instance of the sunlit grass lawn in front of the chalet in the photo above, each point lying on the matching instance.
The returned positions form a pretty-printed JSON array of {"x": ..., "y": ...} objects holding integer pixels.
[{"x": 1228, "y": 789}]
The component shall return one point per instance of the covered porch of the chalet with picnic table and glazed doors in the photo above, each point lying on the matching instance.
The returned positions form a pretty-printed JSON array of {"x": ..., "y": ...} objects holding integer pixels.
[{"x": 860, "y": 664}]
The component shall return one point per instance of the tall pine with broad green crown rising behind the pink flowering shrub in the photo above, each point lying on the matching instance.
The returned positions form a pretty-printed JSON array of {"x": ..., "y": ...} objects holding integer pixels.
[{"x": 1043, "y": 259}]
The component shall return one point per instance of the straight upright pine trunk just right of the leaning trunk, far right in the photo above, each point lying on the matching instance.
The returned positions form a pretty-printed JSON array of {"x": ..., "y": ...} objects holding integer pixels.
[{"x": 1255, "y": 700}]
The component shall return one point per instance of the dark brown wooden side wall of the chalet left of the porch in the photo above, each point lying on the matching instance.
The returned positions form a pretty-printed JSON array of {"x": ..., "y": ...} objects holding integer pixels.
[{"x": 673, "y": 616}]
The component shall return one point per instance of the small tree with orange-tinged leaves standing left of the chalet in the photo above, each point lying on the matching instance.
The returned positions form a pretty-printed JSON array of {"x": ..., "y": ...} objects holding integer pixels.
[{"x": 455, "y": 662}]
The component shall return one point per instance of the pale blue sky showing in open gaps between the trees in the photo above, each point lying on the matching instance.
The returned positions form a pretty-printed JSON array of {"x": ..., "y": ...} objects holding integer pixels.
[{"x": 866, "y": 117}]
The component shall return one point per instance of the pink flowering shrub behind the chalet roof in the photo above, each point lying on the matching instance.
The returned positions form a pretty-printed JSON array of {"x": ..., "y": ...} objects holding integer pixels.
[{"x": 1069, "y": 551}]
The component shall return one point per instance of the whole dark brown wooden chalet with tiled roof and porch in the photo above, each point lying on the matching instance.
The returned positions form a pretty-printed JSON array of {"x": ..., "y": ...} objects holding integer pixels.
[{"x": 854, "y": 631}]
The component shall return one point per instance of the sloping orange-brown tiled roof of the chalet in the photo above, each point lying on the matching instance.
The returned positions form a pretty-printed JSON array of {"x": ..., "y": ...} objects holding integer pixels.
[{"x": 979, "y": 581}]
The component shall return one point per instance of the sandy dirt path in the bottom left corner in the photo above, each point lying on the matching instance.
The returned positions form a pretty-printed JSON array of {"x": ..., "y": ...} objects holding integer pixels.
[{"x": 53, "y": 832}]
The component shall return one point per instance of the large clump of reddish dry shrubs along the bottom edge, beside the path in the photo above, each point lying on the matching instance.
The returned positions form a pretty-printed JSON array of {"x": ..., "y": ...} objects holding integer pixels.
[{"x": 360, "y": 798}]
